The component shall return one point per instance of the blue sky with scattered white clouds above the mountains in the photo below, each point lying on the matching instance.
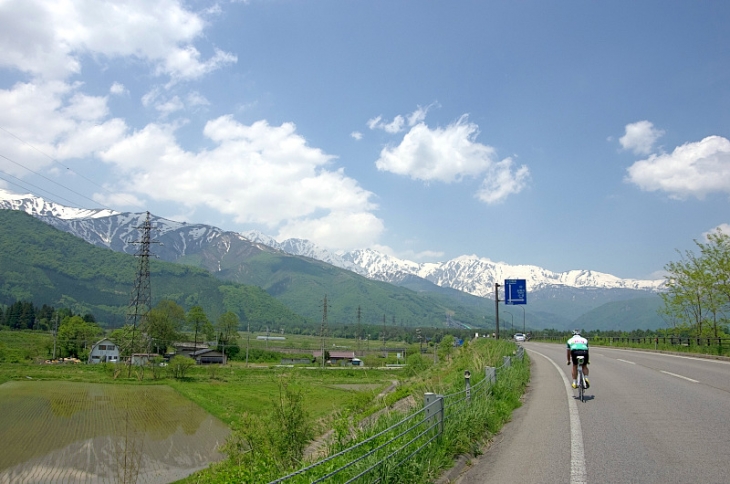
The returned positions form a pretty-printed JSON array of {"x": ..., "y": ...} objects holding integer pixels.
[{"x": 567, "y": 135}]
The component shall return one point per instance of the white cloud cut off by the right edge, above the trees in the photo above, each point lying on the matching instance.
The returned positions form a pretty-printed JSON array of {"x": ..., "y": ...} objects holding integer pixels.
[{"x": 693, "y": 169}]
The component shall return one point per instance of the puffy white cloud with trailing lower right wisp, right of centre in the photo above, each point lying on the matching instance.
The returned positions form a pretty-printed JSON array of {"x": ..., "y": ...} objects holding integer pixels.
[{"x": 449, "y": 155}]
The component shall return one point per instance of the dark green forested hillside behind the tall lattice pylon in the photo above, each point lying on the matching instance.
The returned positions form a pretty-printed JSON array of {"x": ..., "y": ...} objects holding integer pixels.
[{"x": 46, "y": 266}]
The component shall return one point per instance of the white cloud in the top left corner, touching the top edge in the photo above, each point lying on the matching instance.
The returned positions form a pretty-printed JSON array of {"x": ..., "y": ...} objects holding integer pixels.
[{"x": 47, "y": 38}]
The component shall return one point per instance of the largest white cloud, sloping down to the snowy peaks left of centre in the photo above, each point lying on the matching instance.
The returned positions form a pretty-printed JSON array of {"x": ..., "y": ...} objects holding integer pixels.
[{"x": 257, "y": 173}]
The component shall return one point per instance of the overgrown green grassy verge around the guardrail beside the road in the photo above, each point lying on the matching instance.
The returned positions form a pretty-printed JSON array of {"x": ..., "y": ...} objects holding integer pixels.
[{"x": 467, "y": 425}]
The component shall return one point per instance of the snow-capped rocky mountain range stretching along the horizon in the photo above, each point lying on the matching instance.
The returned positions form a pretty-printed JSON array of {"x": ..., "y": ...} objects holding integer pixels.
[{"x": 471, "y": 274}]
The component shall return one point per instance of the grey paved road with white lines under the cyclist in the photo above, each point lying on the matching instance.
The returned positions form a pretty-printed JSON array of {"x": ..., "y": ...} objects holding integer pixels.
[{"x": 650, "y": 418}]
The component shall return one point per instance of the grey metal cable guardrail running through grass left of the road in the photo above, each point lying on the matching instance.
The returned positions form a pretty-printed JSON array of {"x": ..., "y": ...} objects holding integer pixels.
[{"x": 401, "y": 441}]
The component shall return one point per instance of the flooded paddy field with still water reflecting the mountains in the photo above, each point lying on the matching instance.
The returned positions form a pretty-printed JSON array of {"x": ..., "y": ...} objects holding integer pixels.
[{"x": 95, "y": 433}]
